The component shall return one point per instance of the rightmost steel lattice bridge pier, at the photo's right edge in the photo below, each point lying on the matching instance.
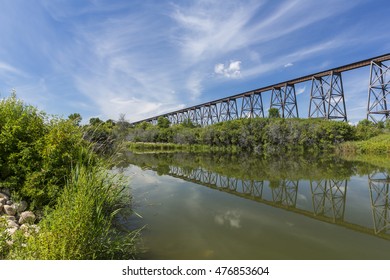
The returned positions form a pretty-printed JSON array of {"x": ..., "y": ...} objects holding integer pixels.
[{"x": 378, "y": 92}]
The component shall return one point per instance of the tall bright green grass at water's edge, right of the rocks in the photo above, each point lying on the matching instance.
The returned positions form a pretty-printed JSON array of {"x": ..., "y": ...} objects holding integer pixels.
[{"x": 82, "y": 224}]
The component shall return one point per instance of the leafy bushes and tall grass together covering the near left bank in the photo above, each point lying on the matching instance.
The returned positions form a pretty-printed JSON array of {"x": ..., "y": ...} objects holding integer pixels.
[{"x": 52, "y": 164}]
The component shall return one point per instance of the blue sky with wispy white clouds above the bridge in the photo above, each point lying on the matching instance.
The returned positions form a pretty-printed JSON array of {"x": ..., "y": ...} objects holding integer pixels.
[{"x": 143, "y": 58}]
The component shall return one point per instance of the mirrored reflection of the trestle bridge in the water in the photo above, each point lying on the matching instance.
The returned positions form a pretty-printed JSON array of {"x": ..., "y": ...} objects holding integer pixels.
[{"x": 328, "y": 196}]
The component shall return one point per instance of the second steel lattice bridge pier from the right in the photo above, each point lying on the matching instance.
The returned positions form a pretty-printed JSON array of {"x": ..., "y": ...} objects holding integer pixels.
[{"x": 327, "y": 97}]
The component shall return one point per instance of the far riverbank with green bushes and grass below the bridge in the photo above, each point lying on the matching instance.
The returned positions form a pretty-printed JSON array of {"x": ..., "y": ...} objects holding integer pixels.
[{"x": 263, "y": 136}]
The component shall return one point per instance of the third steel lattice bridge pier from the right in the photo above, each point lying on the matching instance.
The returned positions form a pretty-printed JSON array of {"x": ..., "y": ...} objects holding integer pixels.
[{"x": 285, "y": 100}]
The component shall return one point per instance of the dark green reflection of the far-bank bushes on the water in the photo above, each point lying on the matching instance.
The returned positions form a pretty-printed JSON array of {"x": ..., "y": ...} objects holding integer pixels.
[{"x": 258, "y": 168}]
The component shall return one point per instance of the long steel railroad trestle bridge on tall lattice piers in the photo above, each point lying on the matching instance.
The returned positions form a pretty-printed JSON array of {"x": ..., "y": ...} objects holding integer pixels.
[{"x": 326, "y": 98}]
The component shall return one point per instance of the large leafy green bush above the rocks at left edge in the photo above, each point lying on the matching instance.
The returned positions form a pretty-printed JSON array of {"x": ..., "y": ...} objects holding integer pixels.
[{"x": 35, "y": 153}]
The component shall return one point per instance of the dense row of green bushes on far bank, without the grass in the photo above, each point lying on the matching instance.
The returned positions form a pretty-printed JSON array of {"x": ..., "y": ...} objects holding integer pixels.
[{"x": 259, "y": 135}]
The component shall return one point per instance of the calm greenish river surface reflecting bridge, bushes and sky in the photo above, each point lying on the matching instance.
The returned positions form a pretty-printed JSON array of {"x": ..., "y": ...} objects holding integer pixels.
[{"x": 238, "y": 207}]
